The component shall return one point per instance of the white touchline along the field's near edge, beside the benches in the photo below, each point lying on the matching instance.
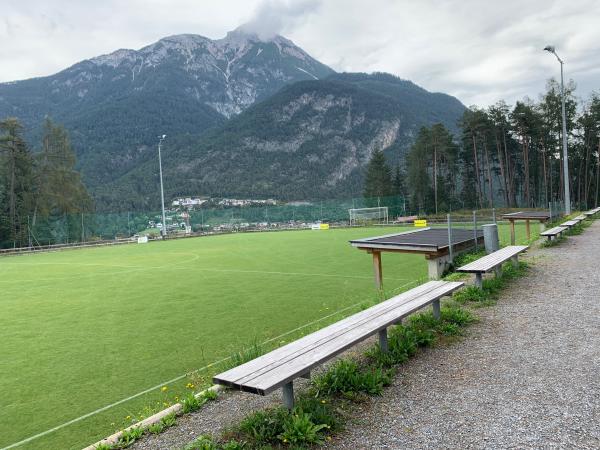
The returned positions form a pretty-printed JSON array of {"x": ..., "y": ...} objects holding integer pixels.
[{"x": 158, "y": 386}]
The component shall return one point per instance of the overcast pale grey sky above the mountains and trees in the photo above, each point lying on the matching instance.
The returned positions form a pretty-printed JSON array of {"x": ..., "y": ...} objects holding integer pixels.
[{"x": 480, "y": 51}]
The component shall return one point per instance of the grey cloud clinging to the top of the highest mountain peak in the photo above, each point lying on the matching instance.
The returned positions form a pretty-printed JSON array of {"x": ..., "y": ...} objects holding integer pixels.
[{"x": 272, "y": 17}]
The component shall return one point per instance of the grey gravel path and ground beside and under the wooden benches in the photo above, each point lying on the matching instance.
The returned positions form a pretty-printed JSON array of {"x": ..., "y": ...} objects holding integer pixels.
[{"x": 526, "y": 376}]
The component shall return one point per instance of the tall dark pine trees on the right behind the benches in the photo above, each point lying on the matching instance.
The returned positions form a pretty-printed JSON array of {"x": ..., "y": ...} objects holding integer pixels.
[{"x": 502, "y": 157}]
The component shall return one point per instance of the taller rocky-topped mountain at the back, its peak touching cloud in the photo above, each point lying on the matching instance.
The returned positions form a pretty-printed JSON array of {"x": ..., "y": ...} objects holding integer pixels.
[{"x": 115, "y": 105}]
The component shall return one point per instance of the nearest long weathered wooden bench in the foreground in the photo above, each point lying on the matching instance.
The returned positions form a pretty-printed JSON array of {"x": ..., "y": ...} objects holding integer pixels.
[{"x": 279, "y": 368}]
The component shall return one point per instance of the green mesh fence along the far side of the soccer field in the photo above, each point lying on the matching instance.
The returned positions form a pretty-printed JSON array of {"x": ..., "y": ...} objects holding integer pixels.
[{"x": 201, "y": 216}]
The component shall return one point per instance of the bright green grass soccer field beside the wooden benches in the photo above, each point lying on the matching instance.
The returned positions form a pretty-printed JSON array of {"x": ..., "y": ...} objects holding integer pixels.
[{"x": 84, "y": 329}]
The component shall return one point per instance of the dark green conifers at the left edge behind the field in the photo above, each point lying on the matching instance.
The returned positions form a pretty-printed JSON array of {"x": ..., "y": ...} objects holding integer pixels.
[{"x": 40, "y": 190}]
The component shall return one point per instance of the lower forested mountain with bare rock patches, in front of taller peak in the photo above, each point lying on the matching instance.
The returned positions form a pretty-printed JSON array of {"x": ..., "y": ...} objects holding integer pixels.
[{"x": 310, "y": 140}]
